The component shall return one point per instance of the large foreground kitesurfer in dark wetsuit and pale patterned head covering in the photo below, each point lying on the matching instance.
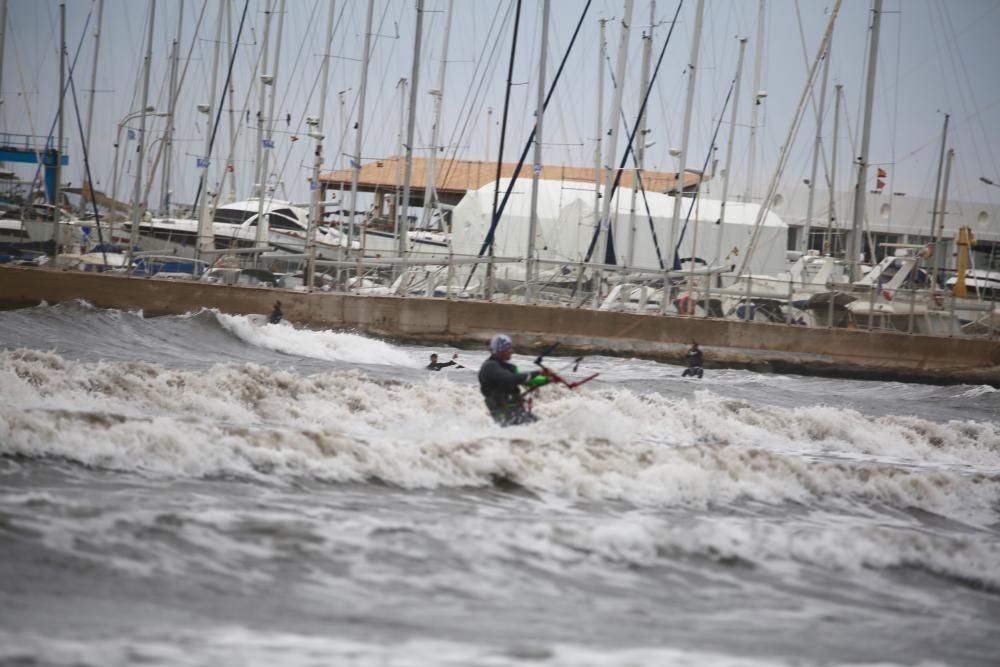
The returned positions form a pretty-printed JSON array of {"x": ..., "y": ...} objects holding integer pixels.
[{"x": 500, "y": 380}]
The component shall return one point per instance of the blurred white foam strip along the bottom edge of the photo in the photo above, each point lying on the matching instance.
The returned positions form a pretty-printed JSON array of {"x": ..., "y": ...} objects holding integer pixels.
[{"x": 237, "y": 645}]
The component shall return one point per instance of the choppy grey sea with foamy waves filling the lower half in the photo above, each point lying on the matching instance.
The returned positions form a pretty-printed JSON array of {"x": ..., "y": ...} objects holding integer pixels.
[{"x": 199, "y": 490}]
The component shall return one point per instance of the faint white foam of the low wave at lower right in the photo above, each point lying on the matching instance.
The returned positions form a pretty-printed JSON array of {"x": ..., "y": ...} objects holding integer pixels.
[{"x": 784, "y": 547}]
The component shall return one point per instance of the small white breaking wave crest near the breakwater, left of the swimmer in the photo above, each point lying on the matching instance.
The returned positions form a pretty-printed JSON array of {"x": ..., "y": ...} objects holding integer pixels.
[{"x": 325, "y": 344}]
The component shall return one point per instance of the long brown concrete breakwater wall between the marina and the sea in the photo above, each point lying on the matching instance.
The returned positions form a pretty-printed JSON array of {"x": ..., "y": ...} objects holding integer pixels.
[{"x": 760, "y": 346}]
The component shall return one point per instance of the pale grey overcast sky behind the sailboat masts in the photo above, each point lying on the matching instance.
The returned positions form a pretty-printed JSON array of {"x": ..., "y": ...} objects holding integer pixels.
[{"x": 936, "y": 56}]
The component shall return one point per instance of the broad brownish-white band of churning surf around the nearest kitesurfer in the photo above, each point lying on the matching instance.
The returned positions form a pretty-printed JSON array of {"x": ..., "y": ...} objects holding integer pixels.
[{"x": 251, "y": 420}]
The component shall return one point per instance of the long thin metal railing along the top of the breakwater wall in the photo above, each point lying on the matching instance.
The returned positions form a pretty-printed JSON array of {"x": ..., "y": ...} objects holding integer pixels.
[{"x": 703, "y": 293}]
